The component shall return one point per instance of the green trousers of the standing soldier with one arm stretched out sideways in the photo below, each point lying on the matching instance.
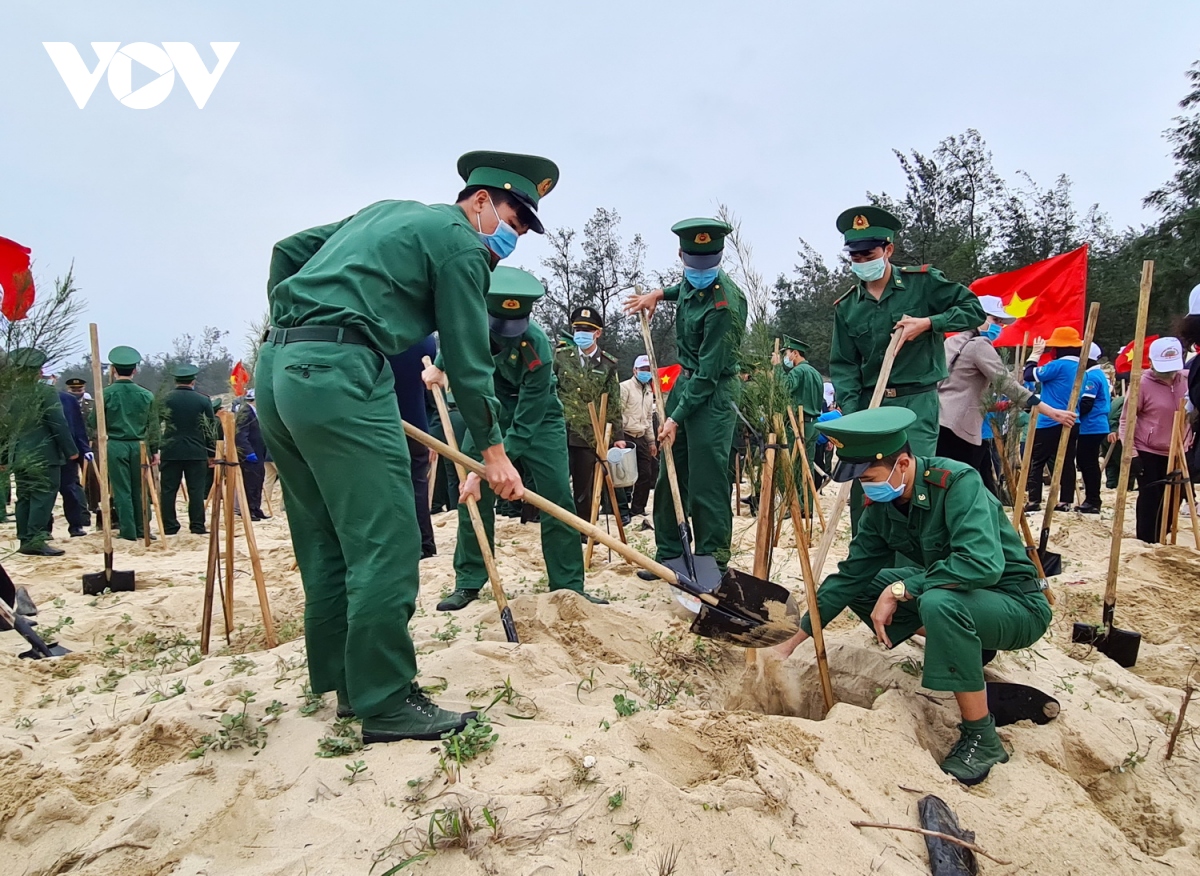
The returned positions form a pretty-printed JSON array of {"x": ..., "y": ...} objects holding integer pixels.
[{"x": 701, "y": 453}]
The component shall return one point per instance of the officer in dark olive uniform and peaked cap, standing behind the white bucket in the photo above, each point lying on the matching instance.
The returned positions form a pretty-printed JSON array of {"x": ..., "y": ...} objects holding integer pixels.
[{"x": 583, "y": 355}]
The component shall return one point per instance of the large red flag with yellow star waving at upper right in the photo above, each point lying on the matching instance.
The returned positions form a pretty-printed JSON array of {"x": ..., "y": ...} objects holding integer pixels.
[{"x": 1042, "y": 296}]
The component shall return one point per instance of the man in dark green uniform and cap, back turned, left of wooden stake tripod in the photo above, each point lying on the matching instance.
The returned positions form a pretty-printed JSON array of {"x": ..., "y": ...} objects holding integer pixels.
[{"x": 189, "y": 442}]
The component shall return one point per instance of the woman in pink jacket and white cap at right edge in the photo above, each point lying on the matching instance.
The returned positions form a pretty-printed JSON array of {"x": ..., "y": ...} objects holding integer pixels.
[{"x": 1160, "y": 394}]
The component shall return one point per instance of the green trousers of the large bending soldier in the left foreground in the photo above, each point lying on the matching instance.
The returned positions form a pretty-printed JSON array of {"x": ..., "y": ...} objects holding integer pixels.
[{"x": 329, "y": 416}]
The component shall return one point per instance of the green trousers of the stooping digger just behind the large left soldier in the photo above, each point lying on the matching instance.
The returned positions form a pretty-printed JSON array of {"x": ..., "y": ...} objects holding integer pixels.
[{"x": 547, "y": 472}]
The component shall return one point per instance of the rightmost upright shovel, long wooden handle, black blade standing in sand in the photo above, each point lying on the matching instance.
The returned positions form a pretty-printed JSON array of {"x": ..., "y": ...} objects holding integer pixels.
[{"x": 1123, "y": 646}]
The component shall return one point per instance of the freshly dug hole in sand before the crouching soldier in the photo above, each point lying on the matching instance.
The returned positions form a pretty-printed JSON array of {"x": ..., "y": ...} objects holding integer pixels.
[{"x": 793, "y": 688}]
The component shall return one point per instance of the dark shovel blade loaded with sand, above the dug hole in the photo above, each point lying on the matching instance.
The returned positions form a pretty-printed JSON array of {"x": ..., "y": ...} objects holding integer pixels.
[{"x": 752, "y": 613}]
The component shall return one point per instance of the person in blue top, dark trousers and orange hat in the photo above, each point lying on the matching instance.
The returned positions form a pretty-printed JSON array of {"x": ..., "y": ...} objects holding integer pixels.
[{"x": 1058, "y": 379}]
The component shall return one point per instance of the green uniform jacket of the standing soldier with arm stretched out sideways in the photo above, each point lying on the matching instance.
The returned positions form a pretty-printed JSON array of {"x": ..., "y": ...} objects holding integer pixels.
[{"x": 710, "y": 325}]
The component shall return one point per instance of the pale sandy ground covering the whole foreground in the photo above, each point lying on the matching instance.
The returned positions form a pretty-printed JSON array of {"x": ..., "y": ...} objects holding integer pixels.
[{"x": 725, "y": 770}]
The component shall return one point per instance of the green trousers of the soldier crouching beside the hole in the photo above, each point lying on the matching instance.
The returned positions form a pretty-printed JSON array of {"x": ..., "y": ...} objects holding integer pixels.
[{"x": 959, "y": 626}]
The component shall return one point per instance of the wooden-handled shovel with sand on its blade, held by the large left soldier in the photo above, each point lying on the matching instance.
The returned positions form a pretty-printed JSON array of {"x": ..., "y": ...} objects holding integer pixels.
[{"x": 742, "y": 610}]
